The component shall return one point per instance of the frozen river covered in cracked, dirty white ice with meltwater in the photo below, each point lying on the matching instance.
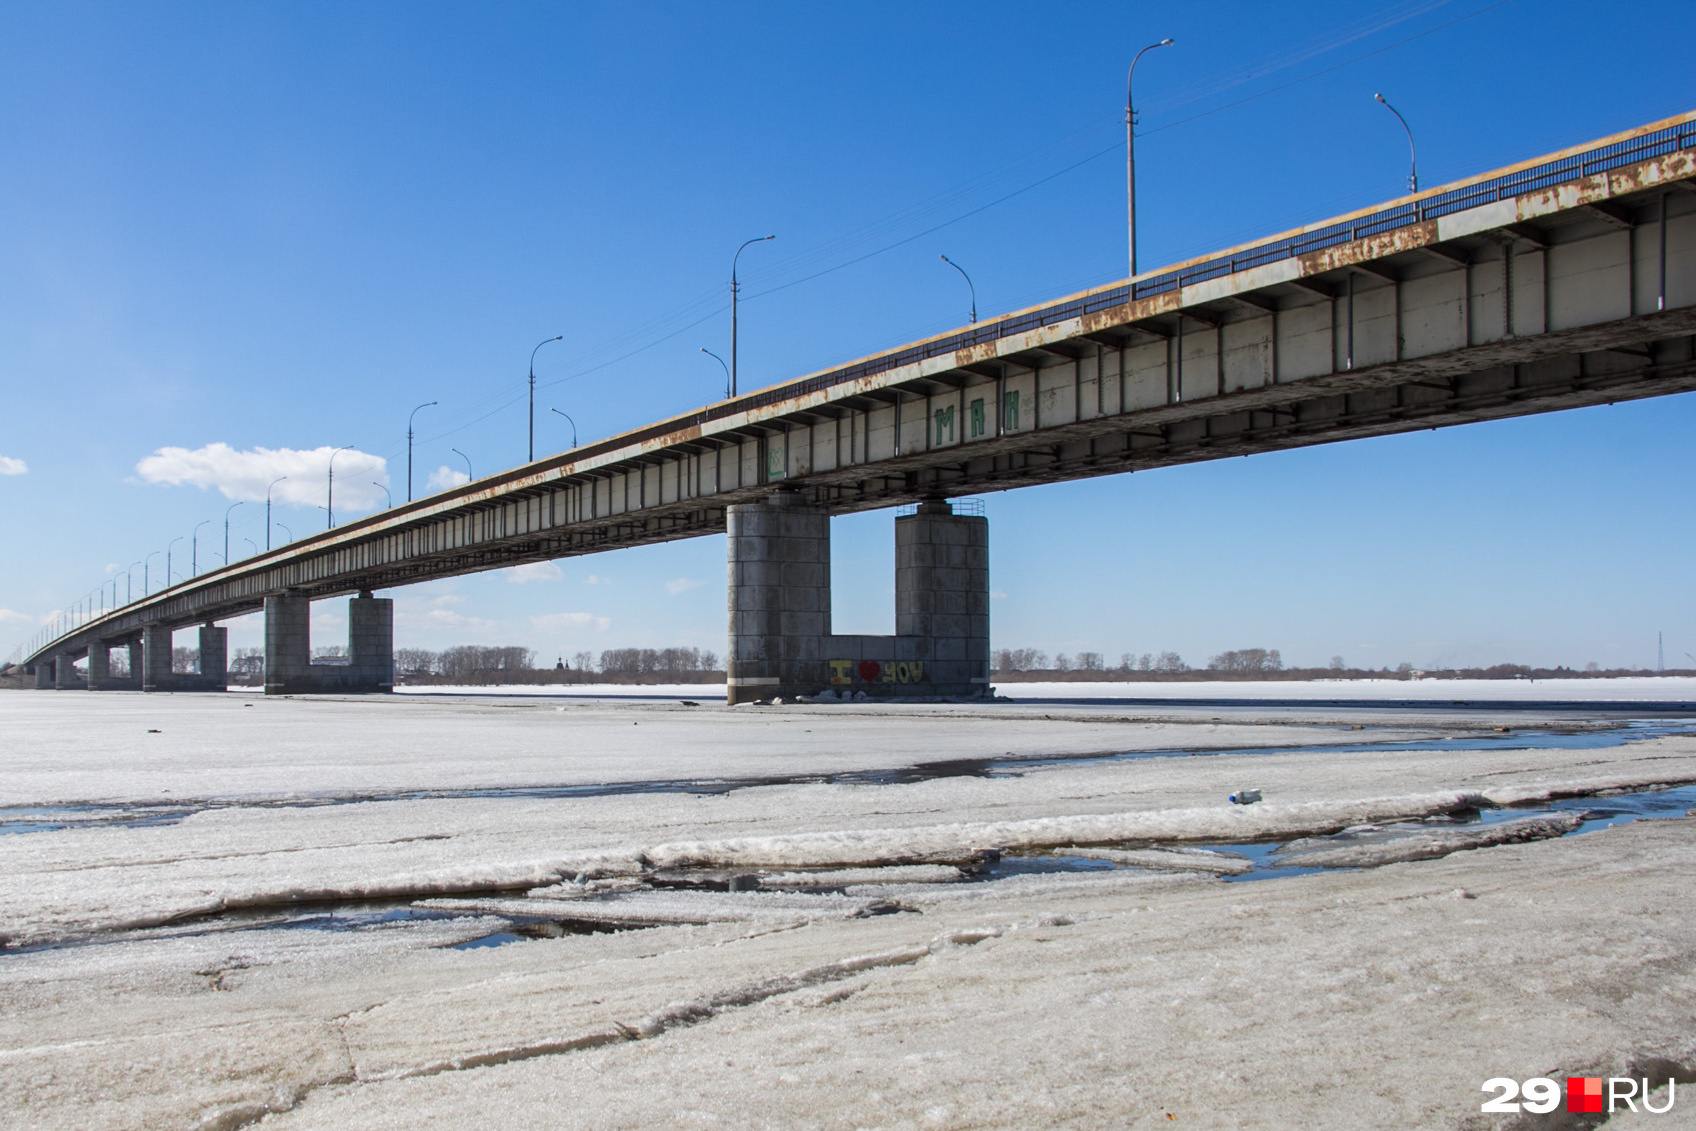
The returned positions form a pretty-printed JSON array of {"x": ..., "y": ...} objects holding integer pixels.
[{"x": 328, "y": 913}]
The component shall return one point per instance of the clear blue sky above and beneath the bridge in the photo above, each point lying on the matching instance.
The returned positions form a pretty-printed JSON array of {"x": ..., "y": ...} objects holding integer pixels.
[{"x": 284, "y": 226}]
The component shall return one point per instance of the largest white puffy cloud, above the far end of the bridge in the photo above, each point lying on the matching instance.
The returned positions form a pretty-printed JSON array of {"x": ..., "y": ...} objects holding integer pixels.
[{"x": 247, "y": 476}]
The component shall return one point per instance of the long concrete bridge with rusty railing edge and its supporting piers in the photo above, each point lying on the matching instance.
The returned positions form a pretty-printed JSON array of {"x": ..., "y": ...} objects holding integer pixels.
[{"x": 1554, "y": 284}]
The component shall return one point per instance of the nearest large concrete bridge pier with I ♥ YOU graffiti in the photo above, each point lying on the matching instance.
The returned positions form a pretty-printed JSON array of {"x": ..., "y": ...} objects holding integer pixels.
[{"x": 781, "y": 640}]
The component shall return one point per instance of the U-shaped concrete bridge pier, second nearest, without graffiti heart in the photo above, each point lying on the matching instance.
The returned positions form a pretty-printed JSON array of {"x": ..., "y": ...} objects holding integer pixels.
[{"x": 289, "y": 669}]
